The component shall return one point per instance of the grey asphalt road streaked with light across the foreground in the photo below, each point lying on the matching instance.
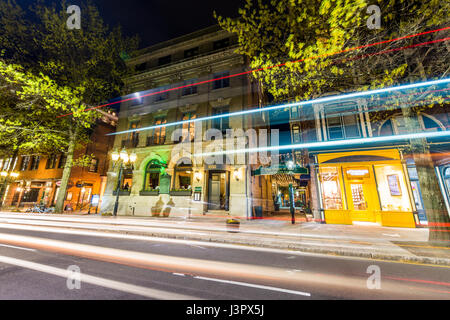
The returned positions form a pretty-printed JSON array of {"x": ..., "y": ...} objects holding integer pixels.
[{"x": 34, "y": 264}]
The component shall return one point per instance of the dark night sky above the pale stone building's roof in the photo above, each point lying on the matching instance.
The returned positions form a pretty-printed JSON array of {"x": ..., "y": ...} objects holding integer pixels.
[{"x": 159, "y": 20}]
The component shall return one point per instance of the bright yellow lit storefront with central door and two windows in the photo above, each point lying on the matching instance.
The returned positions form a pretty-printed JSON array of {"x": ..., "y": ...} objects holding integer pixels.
[{"x": 365, "y": 186}]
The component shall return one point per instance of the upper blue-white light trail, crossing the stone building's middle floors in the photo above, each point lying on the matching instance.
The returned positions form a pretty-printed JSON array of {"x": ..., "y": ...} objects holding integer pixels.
[{"x": 295, "y": 104}]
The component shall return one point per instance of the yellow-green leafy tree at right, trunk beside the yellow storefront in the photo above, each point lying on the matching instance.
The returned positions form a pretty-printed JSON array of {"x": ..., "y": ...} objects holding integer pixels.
[{"x": 320, "y": 36}]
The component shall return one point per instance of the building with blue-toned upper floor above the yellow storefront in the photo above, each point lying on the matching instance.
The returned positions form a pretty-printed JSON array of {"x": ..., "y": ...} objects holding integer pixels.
[{"x": 367, "y": 182}]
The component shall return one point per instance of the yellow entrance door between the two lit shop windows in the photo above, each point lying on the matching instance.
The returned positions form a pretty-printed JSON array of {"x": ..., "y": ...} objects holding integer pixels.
[{"x": 361, "y": 193}]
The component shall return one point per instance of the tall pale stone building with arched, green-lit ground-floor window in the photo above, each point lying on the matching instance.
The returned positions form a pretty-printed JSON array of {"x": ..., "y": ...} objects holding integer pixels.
[{"x": 166, "y": 175}]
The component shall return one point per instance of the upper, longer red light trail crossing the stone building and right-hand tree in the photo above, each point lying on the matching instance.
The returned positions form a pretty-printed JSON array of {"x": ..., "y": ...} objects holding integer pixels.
[{"x": 265, "y": 68}]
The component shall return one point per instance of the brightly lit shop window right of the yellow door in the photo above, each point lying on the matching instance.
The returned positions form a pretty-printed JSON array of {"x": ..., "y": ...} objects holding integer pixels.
[{"x": 392, "y": 188}]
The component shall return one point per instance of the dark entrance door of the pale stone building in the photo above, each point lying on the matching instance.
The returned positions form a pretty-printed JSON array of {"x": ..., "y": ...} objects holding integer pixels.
[{"x": 218, "y": 191}]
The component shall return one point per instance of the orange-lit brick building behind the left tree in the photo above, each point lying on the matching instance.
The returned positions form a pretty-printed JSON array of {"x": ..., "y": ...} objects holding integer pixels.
[{"x": 39, "y": 176}]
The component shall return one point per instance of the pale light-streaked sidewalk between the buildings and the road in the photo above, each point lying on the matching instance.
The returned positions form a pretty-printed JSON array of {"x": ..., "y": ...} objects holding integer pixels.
[{"x": 365, "y": 241}]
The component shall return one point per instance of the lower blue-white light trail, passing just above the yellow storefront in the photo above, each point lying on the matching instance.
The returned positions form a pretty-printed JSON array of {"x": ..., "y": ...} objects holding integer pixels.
[{"x": 340, "y": 143}]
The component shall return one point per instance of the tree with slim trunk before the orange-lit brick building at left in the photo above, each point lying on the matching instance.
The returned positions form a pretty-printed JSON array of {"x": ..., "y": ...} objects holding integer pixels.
[{"x": 85, "y": 62}]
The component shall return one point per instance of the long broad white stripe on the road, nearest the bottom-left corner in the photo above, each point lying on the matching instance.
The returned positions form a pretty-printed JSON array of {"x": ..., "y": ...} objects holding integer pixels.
[{"x": 111, "y": 284}]
